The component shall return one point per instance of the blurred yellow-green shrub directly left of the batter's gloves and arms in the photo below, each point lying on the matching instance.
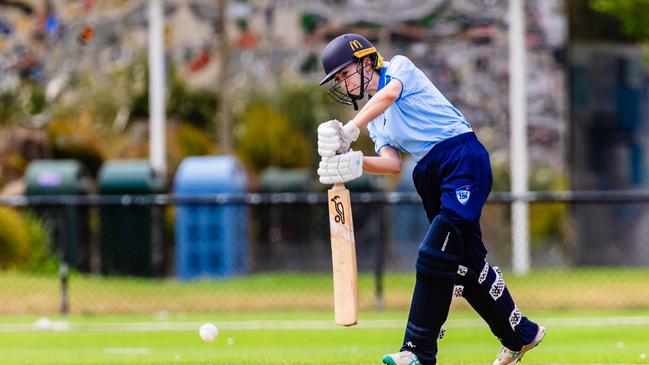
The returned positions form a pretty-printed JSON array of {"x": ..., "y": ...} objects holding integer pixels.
[{"x": 272, "y": 128}]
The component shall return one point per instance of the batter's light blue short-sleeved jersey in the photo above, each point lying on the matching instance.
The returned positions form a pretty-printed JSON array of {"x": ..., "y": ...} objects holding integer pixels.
[{"x": 421, "y": 116}]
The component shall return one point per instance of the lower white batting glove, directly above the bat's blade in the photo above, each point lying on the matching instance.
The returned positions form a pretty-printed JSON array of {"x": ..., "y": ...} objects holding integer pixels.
[{"x": 341, "y": 168}]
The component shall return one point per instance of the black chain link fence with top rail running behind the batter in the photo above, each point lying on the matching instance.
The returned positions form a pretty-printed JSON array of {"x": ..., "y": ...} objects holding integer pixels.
[{"x": 271, "y": 252}]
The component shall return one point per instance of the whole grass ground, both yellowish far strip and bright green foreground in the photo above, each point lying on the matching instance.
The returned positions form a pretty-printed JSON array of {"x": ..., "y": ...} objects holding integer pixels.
[{"x": 593, "y": 315}]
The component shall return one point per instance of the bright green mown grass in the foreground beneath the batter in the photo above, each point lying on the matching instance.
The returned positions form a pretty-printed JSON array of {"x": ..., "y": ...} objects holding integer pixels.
[{"x": 598, "y": 337}]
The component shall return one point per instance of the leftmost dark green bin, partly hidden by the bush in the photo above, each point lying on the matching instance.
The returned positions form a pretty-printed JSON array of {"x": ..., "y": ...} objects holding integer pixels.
[{"x": 70, "y": 222}]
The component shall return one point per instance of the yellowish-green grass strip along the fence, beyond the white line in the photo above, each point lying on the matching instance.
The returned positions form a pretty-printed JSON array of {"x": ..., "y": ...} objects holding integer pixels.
[{"x": 584, "y": 288}]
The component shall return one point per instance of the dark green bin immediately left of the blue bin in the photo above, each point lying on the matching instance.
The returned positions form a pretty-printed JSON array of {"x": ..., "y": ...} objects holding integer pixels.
[{"x": 131, "y": 235}]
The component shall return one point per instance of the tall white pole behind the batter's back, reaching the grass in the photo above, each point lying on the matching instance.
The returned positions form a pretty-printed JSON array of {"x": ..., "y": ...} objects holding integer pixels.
[{"x": 518, "y": 137}]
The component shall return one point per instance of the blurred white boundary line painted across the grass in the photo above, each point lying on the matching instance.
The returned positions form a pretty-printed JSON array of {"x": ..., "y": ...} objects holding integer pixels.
[{"x": 64, "y": 326}]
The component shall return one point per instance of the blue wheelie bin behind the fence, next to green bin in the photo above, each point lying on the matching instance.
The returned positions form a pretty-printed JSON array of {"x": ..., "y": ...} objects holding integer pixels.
[{"x": 211, "y": 239}]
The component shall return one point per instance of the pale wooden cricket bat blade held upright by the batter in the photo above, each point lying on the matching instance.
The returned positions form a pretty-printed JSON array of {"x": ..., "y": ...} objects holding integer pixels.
[{"x": 343, "y": 256}]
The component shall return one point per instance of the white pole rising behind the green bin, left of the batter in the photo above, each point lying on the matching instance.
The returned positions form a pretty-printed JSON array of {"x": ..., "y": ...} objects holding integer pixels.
[{"x": 157, "y": 145}]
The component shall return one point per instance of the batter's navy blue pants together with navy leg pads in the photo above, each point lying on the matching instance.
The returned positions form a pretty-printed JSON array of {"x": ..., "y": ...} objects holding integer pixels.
[{"x": 454, "y": 180}]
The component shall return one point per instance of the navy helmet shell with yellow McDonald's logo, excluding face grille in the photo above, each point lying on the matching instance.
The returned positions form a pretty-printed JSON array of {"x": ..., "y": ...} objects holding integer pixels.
[{"x": 345, "y": 49}]
